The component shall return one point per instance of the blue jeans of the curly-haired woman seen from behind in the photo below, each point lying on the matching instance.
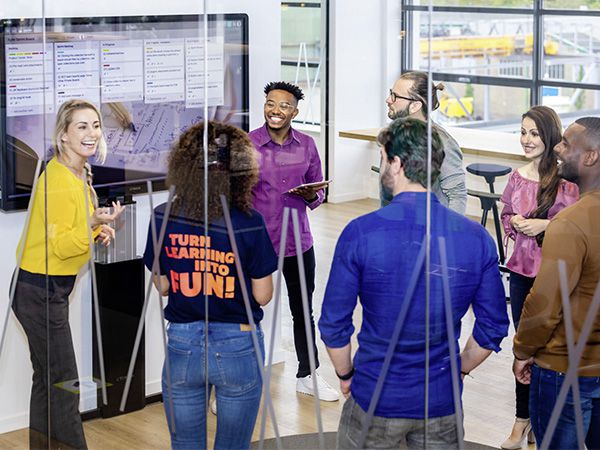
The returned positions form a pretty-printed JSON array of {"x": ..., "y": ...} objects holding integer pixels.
[{"x": 233, "y": 369}]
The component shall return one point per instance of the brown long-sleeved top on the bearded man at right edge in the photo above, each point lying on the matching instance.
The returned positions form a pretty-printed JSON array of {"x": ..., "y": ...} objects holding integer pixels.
[{"x": 574, "y": 237}]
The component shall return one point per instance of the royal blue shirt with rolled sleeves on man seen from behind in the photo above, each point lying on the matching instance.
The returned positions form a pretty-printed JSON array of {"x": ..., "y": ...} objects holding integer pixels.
[{"x": 374, "y": 259}]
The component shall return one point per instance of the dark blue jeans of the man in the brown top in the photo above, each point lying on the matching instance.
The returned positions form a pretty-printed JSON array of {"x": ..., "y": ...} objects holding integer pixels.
[{"x": 545, "y": 386}]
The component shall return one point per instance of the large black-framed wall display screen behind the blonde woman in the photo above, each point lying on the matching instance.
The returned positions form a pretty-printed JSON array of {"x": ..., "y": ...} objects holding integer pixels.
[{"x": 146, "y": 74}]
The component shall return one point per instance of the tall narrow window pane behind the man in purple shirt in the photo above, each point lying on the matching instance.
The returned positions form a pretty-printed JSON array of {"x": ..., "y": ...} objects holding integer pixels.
[{"x": 301, "y": 56}]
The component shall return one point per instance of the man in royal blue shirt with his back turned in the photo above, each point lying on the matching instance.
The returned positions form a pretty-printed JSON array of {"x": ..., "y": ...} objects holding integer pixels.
[{"x": 374, "y": 260}]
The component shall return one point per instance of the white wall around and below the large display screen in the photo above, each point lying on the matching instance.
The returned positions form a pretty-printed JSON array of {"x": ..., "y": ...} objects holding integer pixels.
[{"x": 15, "y": 368}]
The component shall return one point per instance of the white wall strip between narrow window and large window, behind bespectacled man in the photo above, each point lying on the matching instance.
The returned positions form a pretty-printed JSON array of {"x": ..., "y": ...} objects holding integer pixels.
[{"x": 364, "y": 62}]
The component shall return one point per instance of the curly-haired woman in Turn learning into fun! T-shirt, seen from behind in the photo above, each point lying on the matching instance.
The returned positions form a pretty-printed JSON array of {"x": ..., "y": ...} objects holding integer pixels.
[{"x": 205, "y": 302}]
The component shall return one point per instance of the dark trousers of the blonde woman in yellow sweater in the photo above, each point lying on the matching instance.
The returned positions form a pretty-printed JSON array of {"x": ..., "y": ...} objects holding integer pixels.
[{"x": 41, "y": 305}]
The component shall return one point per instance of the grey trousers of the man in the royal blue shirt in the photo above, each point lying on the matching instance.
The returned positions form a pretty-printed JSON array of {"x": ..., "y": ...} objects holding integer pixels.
[{"x": 388, "y": 433}]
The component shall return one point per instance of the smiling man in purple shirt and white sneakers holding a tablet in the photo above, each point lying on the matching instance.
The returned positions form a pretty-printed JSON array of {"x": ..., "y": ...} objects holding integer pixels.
[{"x": 288, "y": 159}]
